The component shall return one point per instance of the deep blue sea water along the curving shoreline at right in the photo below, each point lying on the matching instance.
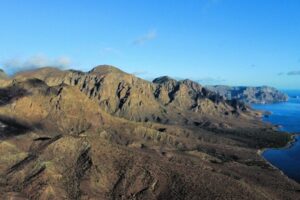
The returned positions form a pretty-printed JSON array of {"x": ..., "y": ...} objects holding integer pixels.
[{"x": 287, "y": 115}]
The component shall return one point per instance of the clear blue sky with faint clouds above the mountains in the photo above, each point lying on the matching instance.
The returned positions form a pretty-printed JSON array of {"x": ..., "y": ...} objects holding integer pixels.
[{"x": 233, "y": 42}]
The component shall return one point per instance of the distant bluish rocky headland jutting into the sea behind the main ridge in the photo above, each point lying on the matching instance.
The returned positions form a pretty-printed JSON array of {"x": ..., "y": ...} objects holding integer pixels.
[{"x": 259, "y": 95}]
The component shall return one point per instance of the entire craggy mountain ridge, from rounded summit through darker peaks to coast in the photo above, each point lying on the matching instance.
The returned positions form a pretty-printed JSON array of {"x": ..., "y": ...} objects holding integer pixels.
[{"x": 127, "y": 96}]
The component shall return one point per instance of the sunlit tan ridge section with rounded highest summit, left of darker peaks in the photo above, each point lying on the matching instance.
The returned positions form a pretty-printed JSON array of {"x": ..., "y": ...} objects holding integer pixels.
[{"x": 116, "y": 92}]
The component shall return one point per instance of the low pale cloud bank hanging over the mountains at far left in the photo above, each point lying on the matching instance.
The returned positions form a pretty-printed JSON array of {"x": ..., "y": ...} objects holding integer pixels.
[{"x": 17, "y": 64}]
